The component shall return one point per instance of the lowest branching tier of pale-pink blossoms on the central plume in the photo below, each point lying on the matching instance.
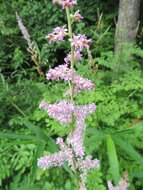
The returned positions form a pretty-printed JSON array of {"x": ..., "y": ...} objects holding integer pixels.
[{"x": 66, "y": 155}]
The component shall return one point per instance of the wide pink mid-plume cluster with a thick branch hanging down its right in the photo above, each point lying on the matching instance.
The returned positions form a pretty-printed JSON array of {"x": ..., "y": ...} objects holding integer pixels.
[{"x": 63, "y": 112}]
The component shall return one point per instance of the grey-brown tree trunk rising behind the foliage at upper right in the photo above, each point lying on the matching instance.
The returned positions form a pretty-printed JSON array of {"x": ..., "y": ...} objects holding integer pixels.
[{"x": 127, "y": 24}]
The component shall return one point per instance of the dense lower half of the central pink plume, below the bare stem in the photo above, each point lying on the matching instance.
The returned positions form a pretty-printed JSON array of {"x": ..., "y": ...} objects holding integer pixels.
[{"x": 63, "y": 112}]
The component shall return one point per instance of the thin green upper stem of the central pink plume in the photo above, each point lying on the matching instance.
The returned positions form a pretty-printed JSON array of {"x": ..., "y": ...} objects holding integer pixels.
[{"x": 72, "y": 52}]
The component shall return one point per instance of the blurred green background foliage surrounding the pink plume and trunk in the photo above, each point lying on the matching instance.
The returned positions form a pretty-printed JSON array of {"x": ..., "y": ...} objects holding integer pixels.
[{"x": 26, "y": 132}]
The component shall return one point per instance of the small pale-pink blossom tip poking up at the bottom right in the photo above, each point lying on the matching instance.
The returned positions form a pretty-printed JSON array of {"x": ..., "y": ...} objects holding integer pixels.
[{"x": 123, "y": 184}]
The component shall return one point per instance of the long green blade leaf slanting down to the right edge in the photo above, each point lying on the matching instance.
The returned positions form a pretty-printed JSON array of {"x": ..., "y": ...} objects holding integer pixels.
[{"x": 129, "y": 149}]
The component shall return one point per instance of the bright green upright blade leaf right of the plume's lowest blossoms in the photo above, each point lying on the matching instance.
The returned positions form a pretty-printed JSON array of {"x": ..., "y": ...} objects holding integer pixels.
[{"x": 113, "y": 159}]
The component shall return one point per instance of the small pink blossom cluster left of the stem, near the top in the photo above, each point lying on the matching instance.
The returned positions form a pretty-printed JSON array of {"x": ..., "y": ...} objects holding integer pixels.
[{"x": 58, "y": 34}]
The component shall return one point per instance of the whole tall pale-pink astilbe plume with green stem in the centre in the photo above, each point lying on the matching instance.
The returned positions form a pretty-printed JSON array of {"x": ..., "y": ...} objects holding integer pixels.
[{"x": 67, "y": 112}]
